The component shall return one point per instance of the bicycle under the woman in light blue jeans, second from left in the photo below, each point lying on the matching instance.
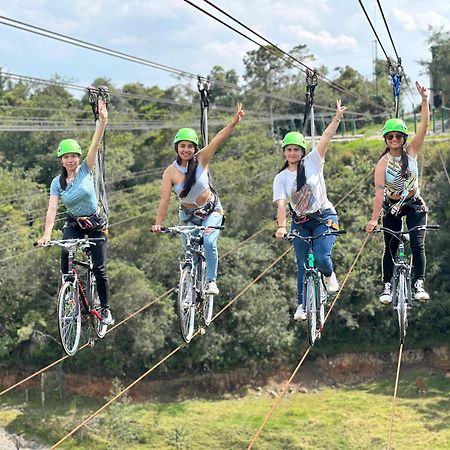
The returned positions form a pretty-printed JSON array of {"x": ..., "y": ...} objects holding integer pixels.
[{"x": 192, "y": 294}]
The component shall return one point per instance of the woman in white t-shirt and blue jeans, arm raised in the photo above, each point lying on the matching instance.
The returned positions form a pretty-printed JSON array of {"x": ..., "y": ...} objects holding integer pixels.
[{"x": 301, "y": 186}]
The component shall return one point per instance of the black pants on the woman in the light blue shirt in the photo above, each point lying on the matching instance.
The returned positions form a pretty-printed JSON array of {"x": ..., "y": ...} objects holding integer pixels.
[{"x": 98, "y": 252}]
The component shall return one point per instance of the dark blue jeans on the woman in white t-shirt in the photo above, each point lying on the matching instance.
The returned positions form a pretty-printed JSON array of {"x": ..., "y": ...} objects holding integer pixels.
[{"x": 322, "y": 248}]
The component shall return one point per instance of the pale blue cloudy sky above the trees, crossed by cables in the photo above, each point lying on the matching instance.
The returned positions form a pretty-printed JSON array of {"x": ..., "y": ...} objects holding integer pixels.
[{"x": 173, "y": 33}]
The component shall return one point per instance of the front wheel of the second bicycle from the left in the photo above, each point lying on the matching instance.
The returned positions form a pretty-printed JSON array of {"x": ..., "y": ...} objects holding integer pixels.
[{"x": 186, "y": 304}]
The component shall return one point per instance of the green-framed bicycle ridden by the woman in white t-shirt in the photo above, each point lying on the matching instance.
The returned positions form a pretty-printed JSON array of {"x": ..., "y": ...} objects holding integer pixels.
[{"x": 315, "y": 294}]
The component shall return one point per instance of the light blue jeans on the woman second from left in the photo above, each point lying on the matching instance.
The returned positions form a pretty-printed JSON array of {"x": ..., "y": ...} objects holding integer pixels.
[{"x": 209, "y": 240}]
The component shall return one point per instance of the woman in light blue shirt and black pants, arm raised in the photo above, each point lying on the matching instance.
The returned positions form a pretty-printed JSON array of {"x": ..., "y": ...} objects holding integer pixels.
[{"x": 75, "y": 186}]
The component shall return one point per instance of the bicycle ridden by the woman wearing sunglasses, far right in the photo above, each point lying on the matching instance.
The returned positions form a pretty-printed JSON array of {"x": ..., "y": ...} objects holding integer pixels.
[{"x": 401, "y": 278}]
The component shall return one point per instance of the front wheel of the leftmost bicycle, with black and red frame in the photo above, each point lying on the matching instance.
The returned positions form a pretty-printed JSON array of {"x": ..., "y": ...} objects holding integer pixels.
[{"x": 69, "y": 317}]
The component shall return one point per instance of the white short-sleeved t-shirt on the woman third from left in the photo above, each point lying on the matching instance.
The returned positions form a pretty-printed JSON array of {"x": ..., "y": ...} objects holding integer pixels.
[{"x": 285, "y": 183}]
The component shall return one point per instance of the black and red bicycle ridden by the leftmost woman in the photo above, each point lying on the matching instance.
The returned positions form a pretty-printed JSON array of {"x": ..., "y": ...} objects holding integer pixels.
[{"x": 78, "y": 301}]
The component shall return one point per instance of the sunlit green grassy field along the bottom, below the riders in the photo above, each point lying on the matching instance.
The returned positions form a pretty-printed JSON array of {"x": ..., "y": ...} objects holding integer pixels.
[{"x": 329, "y": 418}]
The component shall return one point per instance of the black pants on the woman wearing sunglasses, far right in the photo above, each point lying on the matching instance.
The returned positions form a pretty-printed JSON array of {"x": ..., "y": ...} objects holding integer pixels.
[{"x": 415, "y": 215}]
